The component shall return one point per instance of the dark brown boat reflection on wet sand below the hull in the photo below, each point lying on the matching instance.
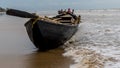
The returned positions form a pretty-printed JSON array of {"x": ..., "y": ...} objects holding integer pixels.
[{"x": 50, "y": 59}]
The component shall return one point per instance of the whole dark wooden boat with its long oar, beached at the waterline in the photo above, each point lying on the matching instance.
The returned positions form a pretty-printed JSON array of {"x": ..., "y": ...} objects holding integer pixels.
[{"x": 49, "y": 33}]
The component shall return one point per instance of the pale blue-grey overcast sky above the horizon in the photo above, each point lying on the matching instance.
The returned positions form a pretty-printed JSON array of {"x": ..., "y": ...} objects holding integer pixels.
[{"x": 58, "y": 4}]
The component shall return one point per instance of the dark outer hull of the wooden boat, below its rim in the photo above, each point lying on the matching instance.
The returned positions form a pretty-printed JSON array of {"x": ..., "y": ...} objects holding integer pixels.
[{"x": 47, "y": 35}]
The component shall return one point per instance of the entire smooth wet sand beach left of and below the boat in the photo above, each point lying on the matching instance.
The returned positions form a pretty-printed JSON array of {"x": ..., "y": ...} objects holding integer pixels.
[{"x": 17, "y": 51}]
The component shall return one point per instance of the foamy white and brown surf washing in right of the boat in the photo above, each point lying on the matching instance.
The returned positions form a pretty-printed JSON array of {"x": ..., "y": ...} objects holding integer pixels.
[{"x": 97, "y": 42}]
